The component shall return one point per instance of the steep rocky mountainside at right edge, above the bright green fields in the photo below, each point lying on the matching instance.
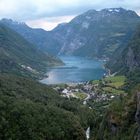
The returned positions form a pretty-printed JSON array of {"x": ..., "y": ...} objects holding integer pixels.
[{"x": 127, "y": 60}]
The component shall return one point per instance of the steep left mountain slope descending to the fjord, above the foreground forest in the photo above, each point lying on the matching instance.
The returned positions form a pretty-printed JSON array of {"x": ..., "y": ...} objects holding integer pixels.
[{"x": 19, "y": 56}]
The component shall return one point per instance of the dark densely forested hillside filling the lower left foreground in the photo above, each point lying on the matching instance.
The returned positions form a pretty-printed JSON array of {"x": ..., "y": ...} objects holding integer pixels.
[{"x": 33, "y": 111}]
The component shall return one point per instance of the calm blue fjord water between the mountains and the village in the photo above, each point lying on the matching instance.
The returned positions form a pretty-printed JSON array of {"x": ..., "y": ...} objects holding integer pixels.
[{"x": 76, "y": 69}]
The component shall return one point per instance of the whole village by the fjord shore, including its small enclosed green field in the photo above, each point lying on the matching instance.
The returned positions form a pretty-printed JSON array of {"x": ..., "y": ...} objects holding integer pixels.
[{"x": 84, "y": 91}]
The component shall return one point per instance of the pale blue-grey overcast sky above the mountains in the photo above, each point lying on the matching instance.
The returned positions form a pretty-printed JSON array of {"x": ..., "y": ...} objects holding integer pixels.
[{"x": 48, "y": 13}]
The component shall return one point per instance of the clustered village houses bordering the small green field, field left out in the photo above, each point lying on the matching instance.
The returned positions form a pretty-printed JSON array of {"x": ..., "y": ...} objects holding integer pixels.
[{"x": 69, "y": 91}]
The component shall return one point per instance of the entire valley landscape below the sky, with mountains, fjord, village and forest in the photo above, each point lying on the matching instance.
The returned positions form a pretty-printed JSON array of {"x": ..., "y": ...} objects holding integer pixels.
[{"x": 79, "y": 81}]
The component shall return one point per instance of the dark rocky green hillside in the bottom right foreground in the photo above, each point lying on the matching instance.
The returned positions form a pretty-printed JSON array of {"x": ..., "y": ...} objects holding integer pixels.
[{"x": 121, "y": 119}]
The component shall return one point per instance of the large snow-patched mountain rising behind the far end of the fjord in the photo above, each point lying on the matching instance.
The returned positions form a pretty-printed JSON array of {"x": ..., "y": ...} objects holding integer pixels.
[{"x": 97, "y": 33}]
